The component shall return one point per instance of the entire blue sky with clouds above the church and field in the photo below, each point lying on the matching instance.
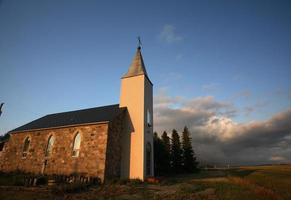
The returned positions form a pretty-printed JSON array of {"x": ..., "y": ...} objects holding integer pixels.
[{"x": 220, "y": 67}]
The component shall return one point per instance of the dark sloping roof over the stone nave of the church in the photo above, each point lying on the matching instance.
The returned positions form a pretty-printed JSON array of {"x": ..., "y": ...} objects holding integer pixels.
[{"x": 91, "y": 115}]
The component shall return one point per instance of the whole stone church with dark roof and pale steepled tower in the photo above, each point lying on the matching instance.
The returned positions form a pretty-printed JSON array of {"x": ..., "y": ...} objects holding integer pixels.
[{"x": 107, "y": 142}]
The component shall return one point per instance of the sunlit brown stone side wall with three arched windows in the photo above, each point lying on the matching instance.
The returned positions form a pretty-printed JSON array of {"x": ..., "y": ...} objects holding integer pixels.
[{"x": 90, "y": 162}]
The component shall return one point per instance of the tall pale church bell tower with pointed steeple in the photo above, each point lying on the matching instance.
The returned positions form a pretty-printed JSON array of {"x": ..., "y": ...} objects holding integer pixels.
[{"x": 136, "y": 95}]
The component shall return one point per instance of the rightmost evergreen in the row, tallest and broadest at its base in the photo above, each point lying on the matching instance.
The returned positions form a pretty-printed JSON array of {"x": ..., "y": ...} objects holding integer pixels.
[{"x": 189, "y": 160}]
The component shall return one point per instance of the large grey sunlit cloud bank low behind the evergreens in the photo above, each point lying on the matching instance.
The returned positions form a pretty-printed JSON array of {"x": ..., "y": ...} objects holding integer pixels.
[{"x": 217, "y": 138}]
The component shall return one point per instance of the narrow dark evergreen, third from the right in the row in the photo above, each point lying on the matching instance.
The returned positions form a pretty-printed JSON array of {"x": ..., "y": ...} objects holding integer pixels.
[{"x": 167, "y": 150}]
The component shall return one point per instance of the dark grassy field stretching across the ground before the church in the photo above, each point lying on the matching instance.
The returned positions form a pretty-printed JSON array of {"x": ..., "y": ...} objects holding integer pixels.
[{"x": 243, "y": 183}]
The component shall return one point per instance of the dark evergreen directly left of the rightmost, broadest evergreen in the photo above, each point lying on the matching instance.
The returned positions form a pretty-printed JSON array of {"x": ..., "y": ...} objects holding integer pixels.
[{"x": 176, "y": 153}]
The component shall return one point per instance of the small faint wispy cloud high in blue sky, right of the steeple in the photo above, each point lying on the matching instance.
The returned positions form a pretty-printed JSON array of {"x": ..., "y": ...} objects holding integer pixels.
[{"x": 169, "y": 35}]
